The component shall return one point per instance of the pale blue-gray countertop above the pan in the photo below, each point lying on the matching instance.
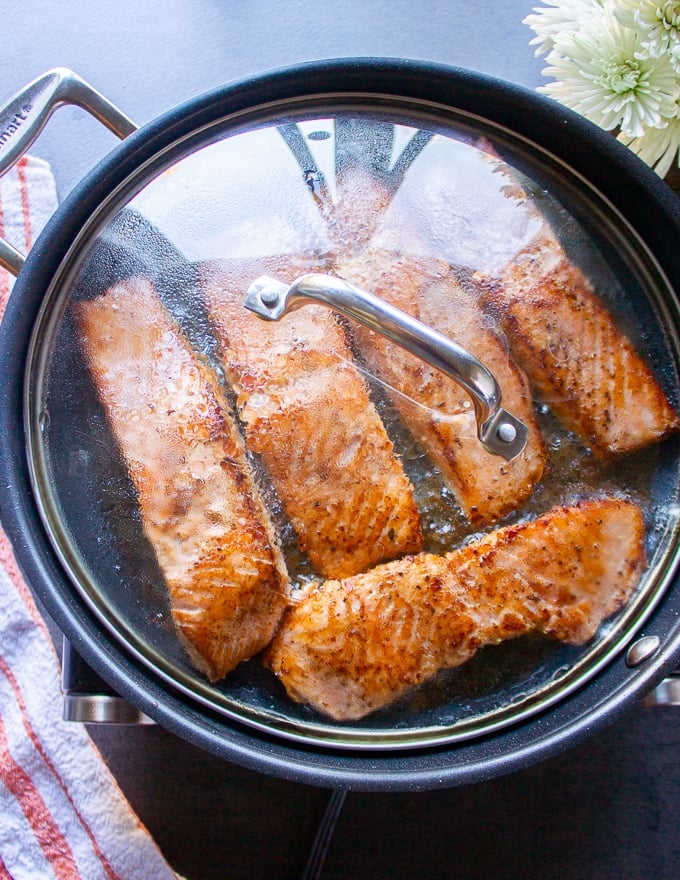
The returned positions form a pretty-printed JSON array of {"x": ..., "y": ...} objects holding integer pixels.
[{"x": 150, "y": 56}]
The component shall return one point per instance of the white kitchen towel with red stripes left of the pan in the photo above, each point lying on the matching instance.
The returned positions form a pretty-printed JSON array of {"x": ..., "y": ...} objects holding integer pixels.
[{"x": 62, "y": 815}]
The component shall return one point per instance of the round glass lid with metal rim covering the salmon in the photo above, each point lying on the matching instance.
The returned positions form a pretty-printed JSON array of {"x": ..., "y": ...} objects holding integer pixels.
[{"x": 356, "y": 422}]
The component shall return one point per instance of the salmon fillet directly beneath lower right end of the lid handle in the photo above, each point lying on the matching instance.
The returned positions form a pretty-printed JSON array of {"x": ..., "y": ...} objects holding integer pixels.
[{"x": 442, "y": 419}]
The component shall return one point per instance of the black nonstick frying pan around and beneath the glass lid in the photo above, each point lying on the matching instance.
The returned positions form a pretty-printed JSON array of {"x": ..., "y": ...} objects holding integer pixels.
[{"x": 95, "y": 238}]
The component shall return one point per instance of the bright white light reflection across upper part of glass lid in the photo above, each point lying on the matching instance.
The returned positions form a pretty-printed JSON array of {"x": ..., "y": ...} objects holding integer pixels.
[{"x": 270, "y": 191}]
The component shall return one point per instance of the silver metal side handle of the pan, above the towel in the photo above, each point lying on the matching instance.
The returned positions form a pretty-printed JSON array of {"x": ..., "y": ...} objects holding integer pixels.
[{"x": 25, "y": 115}]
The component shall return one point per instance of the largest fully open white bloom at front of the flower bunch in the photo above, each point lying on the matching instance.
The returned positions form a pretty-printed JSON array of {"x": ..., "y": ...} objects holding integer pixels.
[{"x": 600, "y": 73}]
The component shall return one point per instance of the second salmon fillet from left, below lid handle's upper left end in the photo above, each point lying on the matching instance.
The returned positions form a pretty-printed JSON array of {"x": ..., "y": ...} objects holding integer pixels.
[{"x": 307, "y": 414}]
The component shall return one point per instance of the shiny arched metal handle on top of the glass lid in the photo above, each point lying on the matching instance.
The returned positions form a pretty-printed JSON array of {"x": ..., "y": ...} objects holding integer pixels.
[{"x": 499, "y": 431}]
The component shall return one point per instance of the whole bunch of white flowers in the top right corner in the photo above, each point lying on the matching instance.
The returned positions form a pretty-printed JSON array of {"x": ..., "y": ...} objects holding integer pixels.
[{"x": 617, "y": 62}]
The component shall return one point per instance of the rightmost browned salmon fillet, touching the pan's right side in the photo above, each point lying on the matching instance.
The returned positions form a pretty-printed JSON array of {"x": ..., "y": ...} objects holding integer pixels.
[{"x": 579, "y": 362}]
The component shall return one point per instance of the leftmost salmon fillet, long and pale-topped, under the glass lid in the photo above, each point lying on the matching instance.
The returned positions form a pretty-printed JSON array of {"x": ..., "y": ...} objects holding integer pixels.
[{"x": 200, "y": 509}]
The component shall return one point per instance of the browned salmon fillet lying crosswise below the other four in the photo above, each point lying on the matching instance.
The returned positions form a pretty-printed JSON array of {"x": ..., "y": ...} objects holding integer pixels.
[{"x": 353, "y": 646}]
